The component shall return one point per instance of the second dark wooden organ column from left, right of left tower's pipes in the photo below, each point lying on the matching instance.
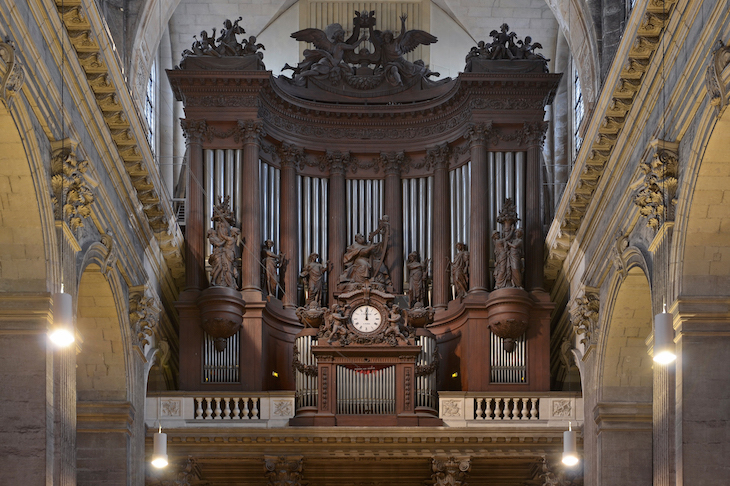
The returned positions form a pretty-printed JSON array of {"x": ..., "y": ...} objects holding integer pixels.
[{"x": 250, "y": 203}]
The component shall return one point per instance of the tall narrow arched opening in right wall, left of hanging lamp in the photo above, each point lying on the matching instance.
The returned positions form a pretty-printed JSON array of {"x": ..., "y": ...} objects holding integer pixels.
[{"x": 624, "y": 411}]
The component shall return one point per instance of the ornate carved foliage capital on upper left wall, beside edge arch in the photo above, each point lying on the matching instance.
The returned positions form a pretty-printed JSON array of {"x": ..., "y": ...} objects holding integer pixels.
[{"x": 72, "y": 196}]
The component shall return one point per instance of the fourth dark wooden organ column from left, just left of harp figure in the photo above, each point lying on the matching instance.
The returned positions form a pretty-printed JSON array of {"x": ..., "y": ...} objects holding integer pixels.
[{"x": 337, "y": 216}]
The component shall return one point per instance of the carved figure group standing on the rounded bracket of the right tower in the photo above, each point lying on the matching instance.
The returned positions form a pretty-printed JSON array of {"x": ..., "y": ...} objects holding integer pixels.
[{"x": 508, "y": 249}]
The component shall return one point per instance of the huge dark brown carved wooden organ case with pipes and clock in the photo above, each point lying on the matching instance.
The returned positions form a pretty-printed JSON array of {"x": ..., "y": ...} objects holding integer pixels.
[{"x": 318, "y": 202}]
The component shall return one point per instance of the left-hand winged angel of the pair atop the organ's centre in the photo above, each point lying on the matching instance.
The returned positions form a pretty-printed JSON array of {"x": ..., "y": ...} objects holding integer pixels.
[{"x": 327, "y": 60}]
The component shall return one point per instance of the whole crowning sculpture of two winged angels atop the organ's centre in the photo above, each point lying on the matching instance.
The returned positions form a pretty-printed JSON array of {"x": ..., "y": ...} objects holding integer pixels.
[{"x": 336, "y": 63}]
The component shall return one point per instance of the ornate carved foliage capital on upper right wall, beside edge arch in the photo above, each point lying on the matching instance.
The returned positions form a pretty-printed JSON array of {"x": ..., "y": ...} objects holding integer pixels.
[{"x": 657, "y": 197}]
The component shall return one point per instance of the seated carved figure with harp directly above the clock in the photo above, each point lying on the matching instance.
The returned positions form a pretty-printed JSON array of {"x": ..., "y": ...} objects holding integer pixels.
[{"x": 364, "y": 261}]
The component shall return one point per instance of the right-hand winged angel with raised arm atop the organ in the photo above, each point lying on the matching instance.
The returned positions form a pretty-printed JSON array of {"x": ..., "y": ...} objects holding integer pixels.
[{"x": 392, "y": 49}]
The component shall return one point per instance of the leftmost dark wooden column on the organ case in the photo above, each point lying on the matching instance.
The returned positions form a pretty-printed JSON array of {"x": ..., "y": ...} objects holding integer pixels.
[{"x": 195, "y": 278}]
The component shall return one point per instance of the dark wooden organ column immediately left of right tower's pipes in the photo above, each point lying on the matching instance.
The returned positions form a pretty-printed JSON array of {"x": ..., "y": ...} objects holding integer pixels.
[{"x": 478, "y": 229}]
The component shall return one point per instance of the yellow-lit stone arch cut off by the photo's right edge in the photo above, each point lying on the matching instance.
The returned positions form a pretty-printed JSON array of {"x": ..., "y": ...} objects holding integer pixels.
[{"x": 704, "y": 253}]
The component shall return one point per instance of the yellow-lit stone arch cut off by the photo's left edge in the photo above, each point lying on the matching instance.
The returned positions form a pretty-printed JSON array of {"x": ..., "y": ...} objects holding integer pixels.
[{"x": 24, "y": 231}]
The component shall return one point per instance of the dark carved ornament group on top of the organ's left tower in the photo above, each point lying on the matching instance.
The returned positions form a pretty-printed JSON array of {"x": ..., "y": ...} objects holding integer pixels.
[{"x": 226, "y": 45}]
